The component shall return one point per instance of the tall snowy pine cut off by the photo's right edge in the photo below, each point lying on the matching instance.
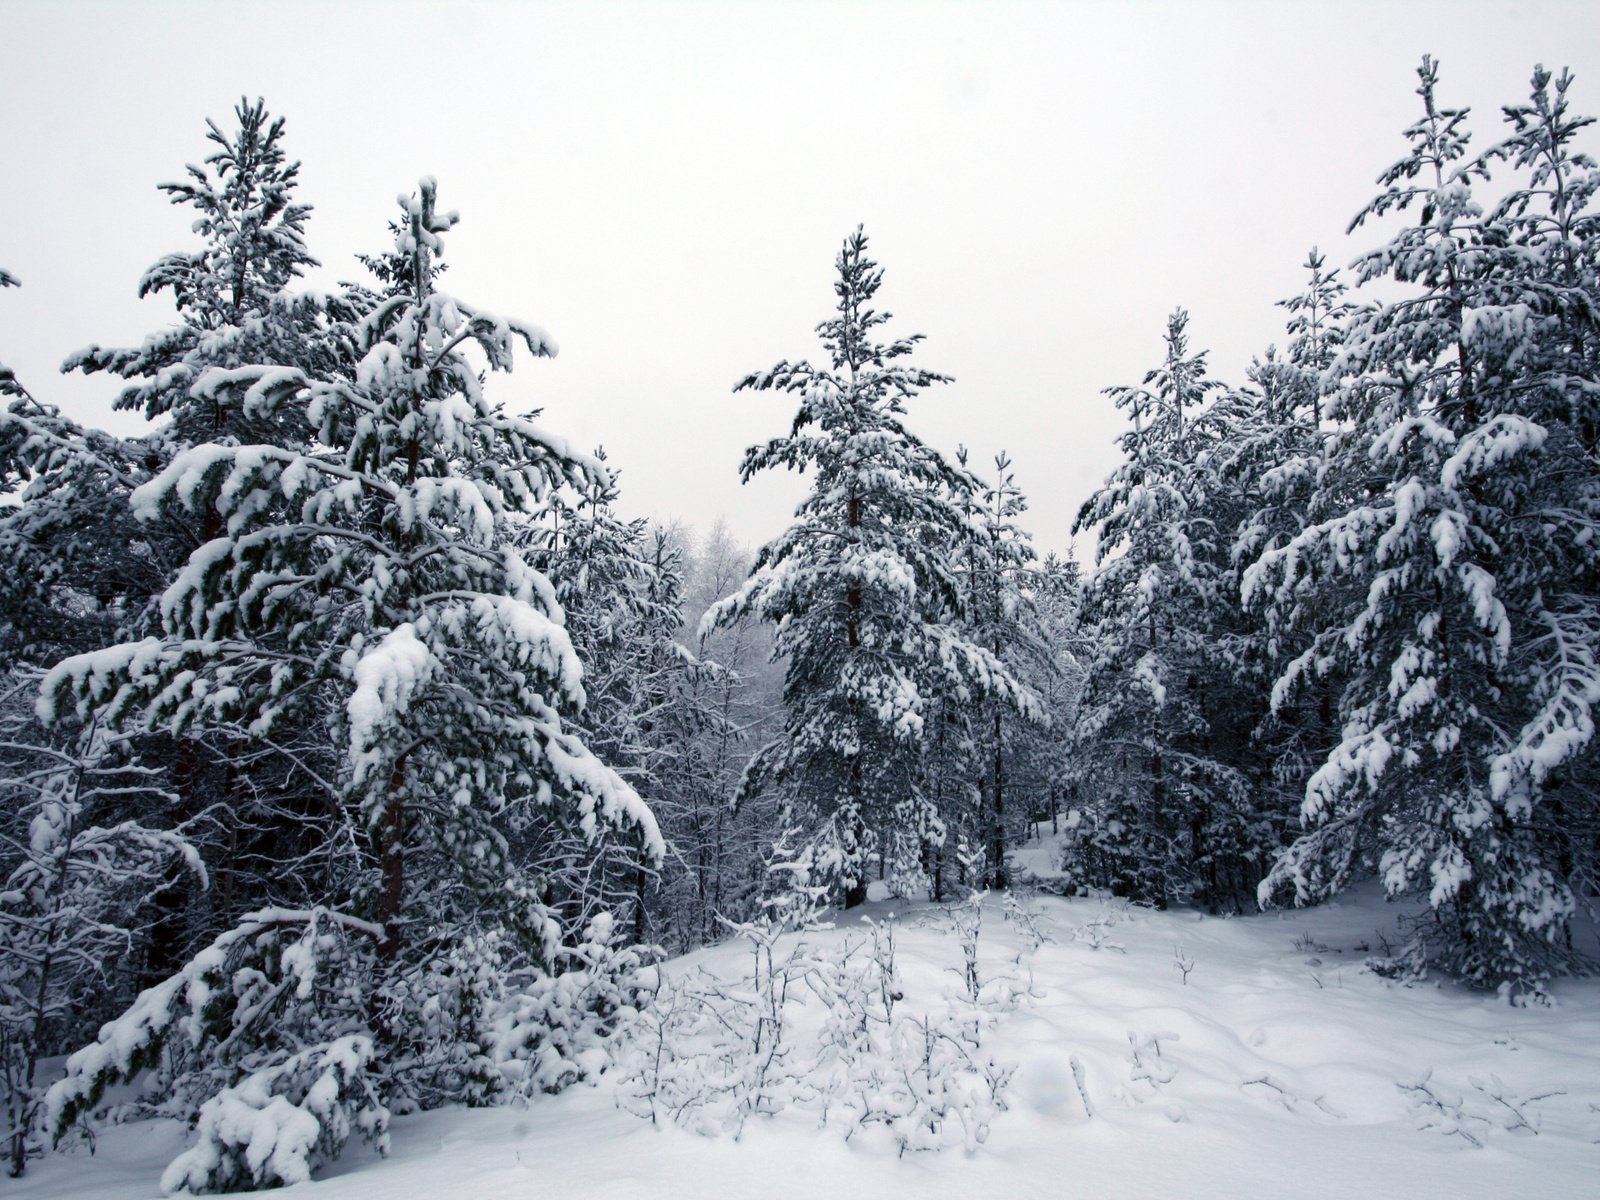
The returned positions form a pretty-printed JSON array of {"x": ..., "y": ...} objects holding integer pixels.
[{"x": 1546, "y": 321}]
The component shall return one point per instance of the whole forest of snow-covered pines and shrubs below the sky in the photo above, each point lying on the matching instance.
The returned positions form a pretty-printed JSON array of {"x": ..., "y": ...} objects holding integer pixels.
[{"x": 359, "y": 759}]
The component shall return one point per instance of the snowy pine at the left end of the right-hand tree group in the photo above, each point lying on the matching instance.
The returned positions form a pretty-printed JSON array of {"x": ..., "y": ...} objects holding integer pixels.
[{"x": 1167, "y": 810}]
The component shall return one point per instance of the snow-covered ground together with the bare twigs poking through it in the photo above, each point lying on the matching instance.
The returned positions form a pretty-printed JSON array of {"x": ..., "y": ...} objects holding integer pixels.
[{"x": 1113, "y": 1052}]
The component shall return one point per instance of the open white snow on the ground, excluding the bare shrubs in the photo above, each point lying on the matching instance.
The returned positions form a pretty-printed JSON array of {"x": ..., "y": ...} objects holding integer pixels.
[{"x": 1273, "y": 1070}]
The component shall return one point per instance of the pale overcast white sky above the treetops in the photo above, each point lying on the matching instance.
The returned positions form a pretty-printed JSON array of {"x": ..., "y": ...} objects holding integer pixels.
[{"x": 665, "y": 188}]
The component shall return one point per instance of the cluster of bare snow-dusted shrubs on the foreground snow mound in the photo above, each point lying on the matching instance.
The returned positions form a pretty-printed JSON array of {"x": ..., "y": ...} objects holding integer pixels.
[{"x": 713, "y": 1054}]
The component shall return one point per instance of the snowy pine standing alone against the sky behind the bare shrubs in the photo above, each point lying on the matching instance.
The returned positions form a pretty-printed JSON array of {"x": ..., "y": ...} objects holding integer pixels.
[{"x": 862, "y": 588}]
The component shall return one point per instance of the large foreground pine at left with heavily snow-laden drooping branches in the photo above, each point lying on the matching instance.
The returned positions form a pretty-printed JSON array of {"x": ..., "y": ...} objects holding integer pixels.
[{"x": 388, "y": 601}]
